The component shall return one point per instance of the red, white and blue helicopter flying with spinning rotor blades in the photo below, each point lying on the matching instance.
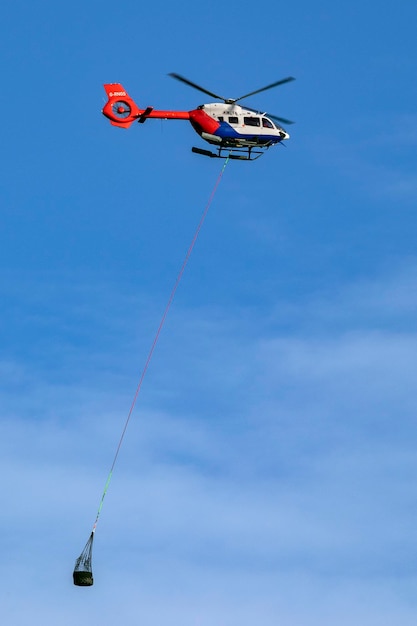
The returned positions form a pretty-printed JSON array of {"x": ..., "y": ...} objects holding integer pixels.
[{"x": 236, "y": 131}]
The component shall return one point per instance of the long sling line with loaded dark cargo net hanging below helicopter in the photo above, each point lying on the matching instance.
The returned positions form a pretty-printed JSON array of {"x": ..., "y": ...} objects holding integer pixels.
[{"x": 83, "y": 575}]
